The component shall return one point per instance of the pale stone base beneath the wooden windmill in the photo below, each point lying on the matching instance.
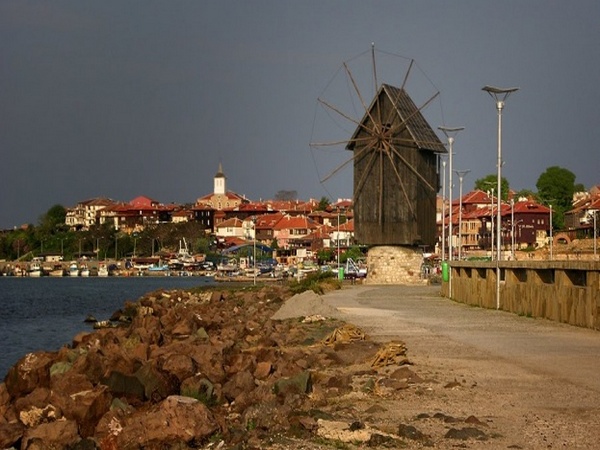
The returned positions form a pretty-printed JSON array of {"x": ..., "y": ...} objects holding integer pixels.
[{"x": 394, "y": 265}]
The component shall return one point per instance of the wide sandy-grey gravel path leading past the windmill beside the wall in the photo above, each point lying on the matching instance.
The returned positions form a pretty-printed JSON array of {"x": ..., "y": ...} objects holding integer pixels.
[{"x": 537, "y": 383}]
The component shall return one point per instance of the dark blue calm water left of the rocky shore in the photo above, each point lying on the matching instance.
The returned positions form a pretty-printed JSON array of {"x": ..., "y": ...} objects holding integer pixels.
[{"x": 46, "y": 313}]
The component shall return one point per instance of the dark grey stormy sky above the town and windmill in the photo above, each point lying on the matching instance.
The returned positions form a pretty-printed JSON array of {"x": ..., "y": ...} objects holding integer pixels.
[{"x": 121, "y": 98}]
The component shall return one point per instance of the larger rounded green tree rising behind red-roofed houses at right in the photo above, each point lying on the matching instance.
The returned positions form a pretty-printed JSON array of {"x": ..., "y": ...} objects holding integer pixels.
[{"x": 556, "y": 187}]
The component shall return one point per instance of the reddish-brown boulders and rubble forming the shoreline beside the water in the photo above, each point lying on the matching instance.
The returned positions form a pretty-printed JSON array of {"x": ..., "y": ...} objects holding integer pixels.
[{"x": 238, "y": 369}]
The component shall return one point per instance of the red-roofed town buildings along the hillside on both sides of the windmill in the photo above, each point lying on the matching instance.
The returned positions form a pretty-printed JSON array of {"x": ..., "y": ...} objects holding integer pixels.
[{"x": 308, "y": 226}]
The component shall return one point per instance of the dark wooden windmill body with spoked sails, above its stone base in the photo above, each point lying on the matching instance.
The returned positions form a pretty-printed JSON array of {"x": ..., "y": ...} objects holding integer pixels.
[{"x": 395, "y": 159}]
